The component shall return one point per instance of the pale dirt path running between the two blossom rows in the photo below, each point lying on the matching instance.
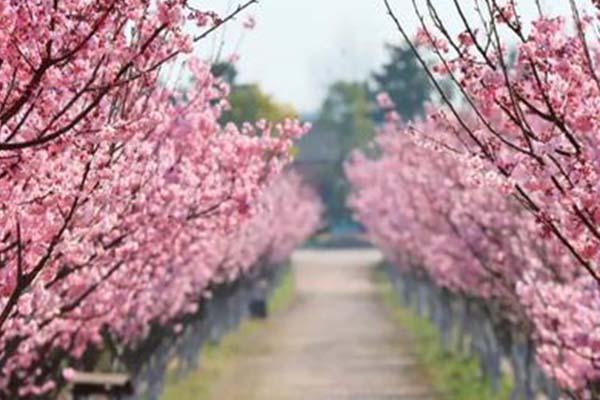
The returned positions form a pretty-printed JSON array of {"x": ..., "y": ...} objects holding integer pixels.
[{"x": 335, "y": 343}]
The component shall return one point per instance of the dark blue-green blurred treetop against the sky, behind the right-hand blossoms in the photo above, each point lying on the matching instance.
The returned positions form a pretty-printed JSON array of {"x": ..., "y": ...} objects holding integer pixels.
[{"x": 403, "y": 78}]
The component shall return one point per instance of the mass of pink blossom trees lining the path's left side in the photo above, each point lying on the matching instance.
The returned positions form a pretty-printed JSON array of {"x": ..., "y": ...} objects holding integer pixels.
[{"x": 121, "y": 200}]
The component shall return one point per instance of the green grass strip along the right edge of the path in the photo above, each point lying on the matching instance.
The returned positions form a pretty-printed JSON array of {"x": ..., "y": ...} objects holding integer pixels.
[{"x": 457, "y": 376}]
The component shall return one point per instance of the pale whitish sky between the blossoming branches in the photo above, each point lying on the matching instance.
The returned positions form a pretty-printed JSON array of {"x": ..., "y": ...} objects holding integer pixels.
[{"x": 300, "y": 46}]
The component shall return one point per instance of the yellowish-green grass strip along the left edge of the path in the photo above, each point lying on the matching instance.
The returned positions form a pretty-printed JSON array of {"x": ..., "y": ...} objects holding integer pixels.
[{"x": 217, "y": 358}]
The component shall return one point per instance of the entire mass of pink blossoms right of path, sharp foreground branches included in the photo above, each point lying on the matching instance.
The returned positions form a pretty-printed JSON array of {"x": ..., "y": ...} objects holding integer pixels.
[{"x": 498, "y": 198}]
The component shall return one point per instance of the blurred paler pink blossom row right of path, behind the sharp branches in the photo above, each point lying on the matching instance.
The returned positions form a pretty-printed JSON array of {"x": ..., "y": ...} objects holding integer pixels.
[{"x": 434, "y": 210}]
